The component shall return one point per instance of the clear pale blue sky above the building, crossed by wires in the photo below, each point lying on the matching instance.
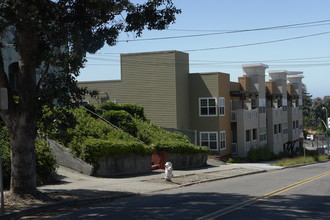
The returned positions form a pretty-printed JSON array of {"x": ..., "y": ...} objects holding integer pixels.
[{"x": 221, "y": 35}]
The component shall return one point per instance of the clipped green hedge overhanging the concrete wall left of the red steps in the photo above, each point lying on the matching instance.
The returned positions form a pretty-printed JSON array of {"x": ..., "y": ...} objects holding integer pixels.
[{"x": 94, "y": 149}]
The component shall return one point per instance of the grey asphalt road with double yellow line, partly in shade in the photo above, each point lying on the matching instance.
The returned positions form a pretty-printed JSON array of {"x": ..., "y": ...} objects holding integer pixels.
[{"x": 294, "y": 193}]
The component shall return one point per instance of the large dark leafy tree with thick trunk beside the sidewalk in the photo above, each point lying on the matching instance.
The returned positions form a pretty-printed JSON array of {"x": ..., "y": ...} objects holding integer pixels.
[{"x": 52, "y": 39}]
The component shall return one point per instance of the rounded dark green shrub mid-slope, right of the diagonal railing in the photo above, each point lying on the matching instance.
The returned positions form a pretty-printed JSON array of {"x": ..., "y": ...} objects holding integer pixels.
[{"x": 121, "y": 119}]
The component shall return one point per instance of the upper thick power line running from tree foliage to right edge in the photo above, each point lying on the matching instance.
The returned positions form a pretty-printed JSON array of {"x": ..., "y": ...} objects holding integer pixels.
[{"x": 226, "y": 32}]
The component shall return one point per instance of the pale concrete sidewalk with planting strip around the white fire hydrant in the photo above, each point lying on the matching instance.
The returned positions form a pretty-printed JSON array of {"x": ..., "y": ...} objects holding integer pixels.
[{"x": 91, "y": 189}]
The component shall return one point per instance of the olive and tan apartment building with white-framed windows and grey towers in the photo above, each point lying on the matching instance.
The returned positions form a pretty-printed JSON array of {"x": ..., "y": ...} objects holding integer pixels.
[{"x": 228, "y": 117}]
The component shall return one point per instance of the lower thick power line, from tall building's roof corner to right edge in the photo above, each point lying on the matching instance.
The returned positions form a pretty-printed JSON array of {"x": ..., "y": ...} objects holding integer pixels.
[{"x": 257, "y": 43}]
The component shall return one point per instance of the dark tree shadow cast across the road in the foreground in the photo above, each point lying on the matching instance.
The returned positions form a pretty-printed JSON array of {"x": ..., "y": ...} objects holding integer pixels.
[{"x": 195, "y": 205}]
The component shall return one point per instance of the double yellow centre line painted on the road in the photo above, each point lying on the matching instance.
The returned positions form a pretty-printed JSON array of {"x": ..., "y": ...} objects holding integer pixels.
[{"x": 232, "y": 208}]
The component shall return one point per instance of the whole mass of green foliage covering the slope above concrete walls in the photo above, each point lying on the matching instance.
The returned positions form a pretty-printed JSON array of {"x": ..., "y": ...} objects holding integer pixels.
[{"x": 92, "y": 139}]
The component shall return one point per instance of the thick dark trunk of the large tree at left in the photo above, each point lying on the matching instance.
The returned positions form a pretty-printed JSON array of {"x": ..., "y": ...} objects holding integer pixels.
[{"x": 23, "y": 118}]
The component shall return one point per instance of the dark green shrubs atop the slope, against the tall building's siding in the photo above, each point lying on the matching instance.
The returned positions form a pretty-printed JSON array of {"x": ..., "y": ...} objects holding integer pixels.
[{"x": 134, "y": 110}]
